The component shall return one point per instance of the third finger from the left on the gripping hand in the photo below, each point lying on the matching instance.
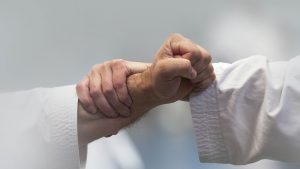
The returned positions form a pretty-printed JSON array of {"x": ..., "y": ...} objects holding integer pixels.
[{"x": 109, "y": 91}]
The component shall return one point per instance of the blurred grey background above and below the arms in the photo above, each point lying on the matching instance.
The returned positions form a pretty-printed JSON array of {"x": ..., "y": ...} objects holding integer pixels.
[{"x": 48, "y": 43}]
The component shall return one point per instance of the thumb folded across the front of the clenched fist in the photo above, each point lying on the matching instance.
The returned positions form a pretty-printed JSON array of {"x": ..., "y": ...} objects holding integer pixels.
[{"x": 175, "y": 67}]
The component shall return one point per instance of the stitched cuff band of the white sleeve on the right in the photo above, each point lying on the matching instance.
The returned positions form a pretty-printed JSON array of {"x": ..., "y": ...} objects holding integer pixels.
[{"x": 206, "y": 120}]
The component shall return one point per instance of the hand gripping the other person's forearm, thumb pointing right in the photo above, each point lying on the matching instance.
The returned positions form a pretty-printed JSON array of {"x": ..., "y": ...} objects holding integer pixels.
[{"x": 104, "y": 89}]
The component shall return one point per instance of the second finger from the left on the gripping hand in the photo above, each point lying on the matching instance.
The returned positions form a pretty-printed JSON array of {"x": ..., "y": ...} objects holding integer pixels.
[{"x": 97, "y": 95}]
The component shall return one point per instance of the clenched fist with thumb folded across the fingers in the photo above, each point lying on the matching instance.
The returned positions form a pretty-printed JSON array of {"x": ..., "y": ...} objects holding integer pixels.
[{"x": 180, "y": 66}]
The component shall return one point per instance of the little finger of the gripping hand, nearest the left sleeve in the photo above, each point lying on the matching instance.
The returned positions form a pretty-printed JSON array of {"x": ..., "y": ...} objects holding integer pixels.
[{"x": 83, "y": 94}]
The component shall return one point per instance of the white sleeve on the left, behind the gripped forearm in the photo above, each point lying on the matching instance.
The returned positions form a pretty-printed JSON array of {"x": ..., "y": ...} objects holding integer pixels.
[{"x": 38, "y": 129}]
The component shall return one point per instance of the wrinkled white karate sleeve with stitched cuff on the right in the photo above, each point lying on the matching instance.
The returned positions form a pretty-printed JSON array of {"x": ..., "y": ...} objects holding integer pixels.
[{"x": 251, "y": 112}]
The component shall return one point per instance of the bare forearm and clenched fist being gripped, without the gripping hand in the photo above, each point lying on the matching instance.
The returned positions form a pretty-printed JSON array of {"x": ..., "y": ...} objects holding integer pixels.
[{"x": 180, "y": 66}]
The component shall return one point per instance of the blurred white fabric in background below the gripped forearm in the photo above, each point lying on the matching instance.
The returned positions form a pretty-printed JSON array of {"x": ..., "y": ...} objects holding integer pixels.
[{"x": 115, "y": 152}]
